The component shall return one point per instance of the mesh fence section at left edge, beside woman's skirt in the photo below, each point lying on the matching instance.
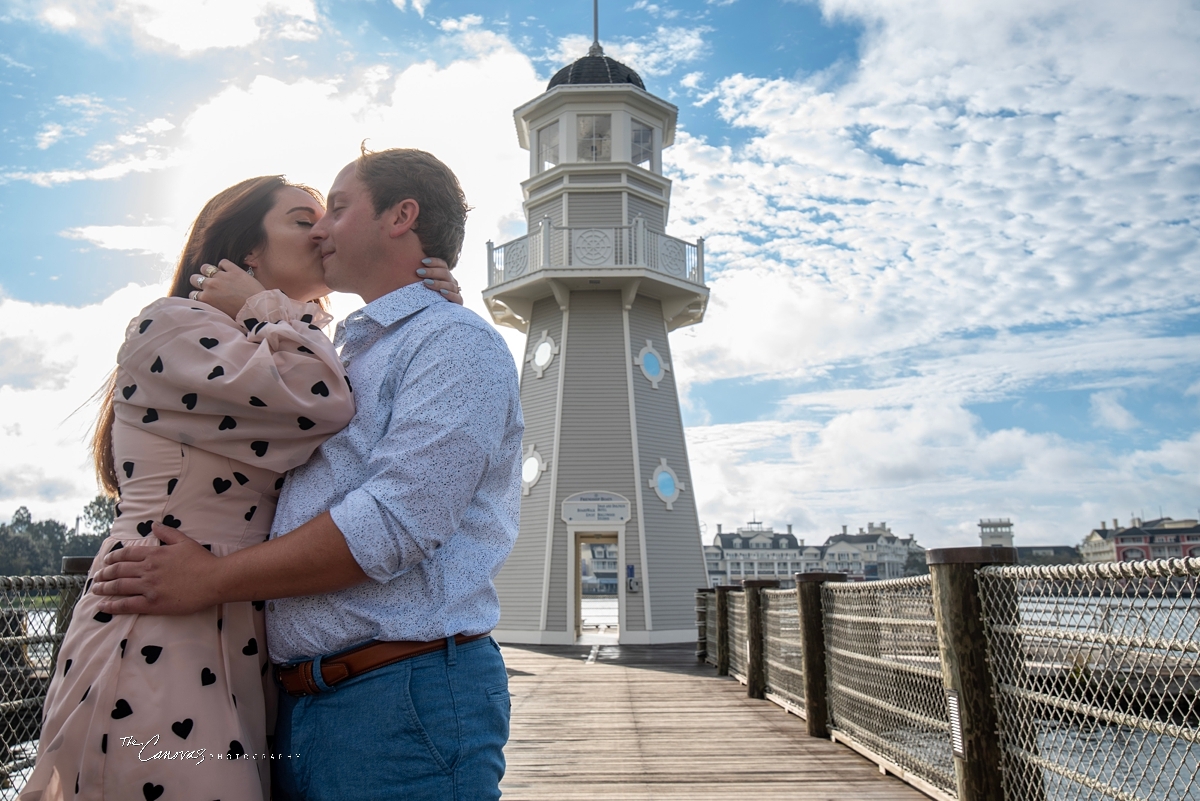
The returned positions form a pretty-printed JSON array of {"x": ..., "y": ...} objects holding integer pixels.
[{"x": 34, "y": 616}]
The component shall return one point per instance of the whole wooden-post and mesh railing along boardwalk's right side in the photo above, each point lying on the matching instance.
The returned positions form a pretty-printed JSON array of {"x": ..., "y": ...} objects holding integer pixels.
[{"x": 987, "y": 680}]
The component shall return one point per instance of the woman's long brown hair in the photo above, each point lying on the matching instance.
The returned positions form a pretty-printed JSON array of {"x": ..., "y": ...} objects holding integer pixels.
[{"x": 229, "y": 227}]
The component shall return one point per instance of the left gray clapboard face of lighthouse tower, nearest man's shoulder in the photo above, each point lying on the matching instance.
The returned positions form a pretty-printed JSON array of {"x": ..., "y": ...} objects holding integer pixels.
[{"x": 520, "y": 582}]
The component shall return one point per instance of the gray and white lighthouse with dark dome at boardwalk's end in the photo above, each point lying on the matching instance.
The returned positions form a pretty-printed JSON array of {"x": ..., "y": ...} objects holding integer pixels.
[{"x": 598, "y": 285}]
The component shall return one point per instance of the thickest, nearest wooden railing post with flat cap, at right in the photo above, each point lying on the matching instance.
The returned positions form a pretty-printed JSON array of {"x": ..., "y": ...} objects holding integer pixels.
[{"x": 965, "y": 672}]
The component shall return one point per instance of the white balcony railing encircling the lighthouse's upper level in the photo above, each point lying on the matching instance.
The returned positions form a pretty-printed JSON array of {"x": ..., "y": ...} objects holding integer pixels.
[{"x": 551, "y": 246}]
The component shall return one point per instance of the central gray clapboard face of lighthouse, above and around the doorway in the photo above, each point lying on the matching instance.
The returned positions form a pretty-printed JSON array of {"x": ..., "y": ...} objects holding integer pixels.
[{"x": 597, "y": 444}]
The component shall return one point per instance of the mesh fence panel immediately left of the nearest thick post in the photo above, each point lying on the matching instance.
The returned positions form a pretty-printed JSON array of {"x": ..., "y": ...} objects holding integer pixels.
[{"x": 886, "y": 690}]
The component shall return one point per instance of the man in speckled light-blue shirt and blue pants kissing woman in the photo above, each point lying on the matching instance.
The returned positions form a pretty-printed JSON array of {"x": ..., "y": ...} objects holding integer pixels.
[{"x": 394, "y": 531}]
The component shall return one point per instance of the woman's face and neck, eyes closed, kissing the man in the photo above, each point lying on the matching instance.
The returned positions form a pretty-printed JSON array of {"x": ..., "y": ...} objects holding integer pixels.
[{"x": 290, "y": 261}]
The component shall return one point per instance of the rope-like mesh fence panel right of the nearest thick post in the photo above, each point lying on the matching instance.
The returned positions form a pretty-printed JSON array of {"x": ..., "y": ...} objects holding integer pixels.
[{"x": 1097, "y": 679}]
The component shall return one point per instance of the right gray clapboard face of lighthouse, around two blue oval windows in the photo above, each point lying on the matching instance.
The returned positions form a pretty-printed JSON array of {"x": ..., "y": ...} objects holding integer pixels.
[{"x": 674, "y": 547}]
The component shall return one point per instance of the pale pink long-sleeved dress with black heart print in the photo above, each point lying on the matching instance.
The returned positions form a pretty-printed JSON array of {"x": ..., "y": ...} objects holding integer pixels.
[{"x": 211, "y": 414}]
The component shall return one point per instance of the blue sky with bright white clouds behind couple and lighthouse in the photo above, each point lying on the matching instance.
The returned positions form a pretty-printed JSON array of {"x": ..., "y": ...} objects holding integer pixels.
[{"x": 953, "y": 248}]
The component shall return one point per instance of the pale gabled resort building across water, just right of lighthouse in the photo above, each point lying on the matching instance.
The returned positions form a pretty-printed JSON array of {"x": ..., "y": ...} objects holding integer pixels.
[{"x": 761, "y": 553}]
